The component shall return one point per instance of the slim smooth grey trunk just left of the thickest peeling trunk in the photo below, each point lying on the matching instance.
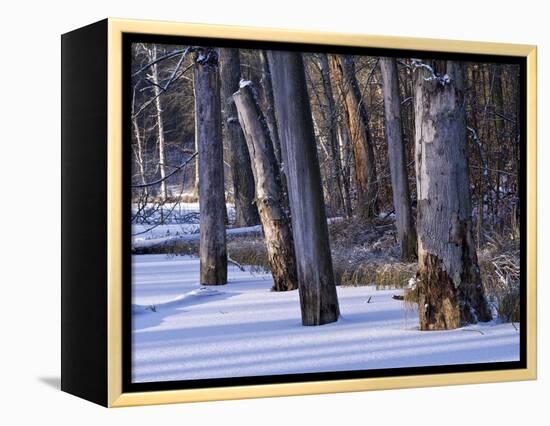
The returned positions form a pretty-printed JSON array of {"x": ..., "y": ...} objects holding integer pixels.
[{"x": 397, "y": 157}]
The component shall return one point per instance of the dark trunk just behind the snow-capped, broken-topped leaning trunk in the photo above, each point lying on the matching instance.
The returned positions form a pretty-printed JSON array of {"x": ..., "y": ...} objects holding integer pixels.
[{"x": 246, "y": 212}]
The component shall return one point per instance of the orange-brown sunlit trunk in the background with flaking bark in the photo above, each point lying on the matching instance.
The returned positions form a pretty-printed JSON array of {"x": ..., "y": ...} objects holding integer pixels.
[{"x": 343, "y": 70}]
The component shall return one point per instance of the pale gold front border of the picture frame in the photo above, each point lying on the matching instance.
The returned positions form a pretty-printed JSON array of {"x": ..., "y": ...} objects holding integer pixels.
[{"x": 114, "y": 235}]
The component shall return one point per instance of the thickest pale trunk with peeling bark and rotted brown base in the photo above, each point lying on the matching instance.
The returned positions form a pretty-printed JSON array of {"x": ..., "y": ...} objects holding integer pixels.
[{"x": 449, "y": 284}]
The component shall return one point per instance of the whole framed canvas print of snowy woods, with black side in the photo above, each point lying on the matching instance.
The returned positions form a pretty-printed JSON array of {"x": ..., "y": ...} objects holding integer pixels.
[{"x": 252, "y": 212}]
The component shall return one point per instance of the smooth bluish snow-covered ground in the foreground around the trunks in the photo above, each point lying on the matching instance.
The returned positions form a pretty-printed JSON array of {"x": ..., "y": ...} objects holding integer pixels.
[{"x": 182, "y": 331}]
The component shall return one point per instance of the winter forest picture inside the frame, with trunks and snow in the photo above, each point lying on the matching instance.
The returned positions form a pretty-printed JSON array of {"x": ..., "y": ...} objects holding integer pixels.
[{"x": 298, "y": 212}]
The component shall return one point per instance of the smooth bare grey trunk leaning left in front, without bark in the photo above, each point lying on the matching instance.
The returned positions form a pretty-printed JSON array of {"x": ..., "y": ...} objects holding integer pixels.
[{"x": 318, "y": 298}]
